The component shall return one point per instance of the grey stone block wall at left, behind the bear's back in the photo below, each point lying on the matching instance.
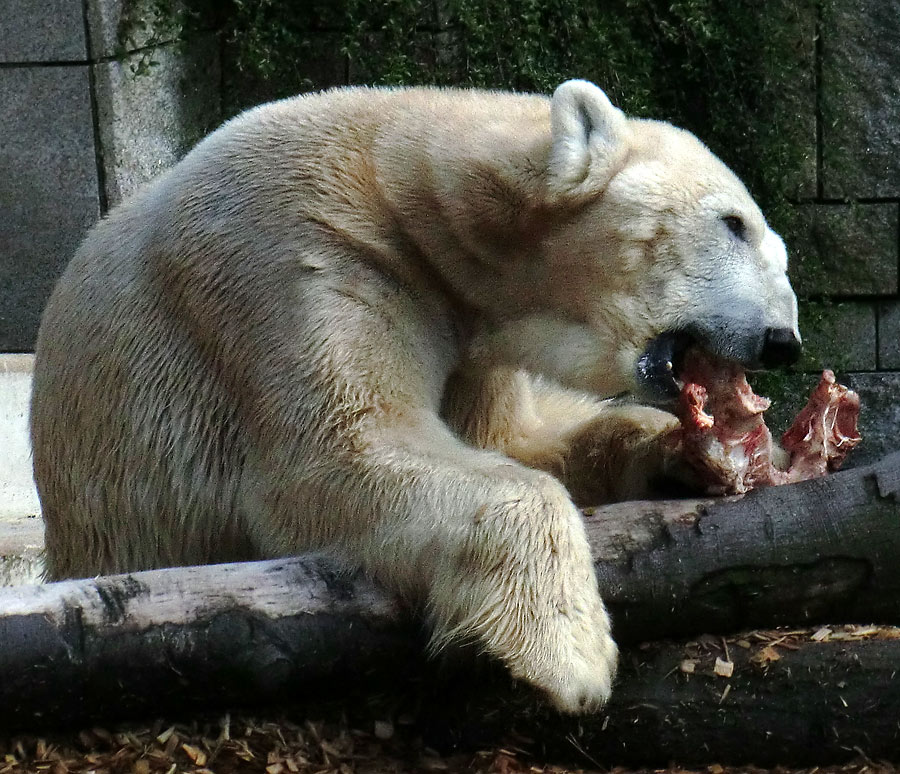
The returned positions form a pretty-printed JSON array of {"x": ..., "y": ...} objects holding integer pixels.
[{"x": 79, "y": 129}]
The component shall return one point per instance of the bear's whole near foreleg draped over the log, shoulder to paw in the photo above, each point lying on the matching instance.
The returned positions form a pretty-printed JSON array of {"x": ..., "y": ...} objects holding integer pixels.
[{"x": 495, "y": 551}]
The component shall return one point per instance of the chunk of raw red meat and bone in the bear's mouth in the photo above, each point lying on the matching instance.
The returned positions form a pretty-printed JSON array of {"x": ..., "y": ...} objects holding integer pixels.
[{"x": 725, "y": 440}]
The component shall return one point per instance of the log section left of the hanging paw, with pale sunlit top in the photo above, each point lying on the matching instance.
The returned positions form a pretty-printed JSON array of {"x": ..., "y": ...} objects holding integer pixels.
[{"x": 121, "y": 645}]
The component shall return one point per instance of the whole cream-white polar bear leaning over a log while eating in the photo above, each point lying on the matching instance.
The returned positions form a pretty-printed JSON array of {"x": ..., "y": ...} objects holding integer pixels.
[{"x": 383, "y": 323}]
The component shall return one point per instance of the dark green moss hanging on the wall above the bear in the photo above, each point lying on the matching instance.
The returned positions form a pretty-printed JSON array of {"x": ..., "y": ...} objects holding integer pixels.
[{"x": 739, "y": 74}]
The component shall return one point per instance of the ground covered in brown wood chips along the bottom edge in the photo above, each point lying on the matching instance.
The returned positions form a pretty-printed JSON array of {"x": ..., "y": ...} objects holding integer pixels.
[{"x": 291, "y": 746}]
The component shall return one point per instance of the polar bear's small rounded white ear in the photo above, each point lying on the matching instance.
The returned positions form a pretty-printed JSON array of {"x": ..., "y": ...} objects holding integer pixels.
[{"x": 589, "y": 139}]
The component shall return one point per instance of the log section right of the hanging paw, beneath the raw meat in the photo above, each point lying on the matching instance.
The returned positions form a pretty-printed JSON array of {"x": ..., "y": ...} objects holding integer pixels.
[{"x": 820, "y": 550}]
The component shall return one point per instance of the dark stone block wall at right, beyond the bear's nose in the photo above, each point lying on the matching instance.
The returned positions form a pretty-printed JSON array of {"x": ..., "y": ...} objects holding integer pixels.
[{"x": 846, "y": 251}]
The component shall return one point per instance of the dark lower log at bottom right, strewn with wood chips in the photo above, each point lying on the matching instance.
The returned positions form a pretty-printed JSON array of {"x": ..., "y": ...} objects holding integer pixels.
[{"x": 819, "y": 703}]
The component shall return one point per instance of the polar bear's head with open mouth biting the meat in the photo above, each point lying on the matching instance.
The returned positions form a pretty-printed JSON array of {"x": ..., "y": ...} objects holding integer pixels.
[{"x": 655, "y": 245}]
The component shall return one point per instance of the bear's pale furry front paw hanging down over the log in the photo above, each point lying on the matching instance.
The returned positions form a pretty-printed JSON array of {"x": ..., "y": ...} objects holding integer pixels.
[{"x": 525, "y": 588}]
